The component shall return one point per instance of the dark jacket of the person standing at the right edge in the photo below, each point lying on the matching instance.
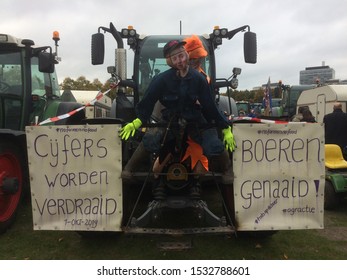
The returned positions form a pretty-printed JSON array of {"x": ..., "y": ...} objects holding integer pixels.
[{"x": 336, "y": 128}]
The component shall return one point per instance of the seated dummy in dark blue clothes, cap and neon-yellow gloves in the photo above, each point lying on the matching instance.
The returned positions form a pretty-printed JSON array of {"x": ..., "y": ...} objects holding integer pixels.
[{"x": 187, "y": 98}]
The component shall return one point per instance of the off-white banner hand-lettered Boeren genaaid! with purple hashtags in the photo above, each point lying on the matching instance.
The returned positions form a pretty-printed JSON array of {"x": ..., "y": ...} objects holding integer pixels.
[{"x": 279, "y": 176}]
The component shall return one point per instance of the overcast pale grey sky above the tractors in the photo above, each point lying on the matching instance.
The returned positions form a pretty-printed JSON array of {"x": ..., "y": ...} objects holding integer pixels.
[{"x": 291, "y": 34}]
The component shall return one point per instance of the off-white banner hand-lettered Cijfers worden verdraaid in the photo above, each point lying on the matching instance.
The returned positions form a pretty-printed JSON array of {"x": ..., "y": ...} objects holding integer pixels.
[{"x": 75, "y": 177}]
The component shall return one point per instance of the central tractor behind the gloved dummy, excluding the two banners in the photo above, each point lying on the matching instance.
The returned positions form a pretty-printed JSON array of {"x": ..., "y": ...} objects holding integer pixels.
[{"x": 149, "y": 62}]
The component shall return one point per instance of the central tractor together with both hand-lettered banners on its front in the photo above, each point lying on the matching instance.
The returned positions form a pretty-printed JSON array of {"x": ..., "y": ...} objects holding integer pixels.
[{"x": 276, "y": 181}]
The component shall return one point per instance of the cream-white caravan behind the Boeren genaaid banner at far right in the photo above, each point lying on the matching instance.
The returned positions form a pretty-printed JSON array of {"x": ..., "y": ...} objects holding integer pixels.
[{"x": 320, "y": 100}]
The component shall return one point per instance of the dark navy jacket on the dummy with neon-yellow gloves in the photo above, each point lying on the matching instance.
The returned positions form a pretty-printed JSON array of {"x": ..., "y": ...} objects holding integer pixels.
[{"x": 189, "y": 98}]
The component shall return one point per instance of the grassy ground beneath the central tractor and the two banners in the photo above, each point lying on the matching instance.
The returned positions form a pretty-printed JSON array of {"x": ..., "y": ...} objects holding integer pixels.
[{"x": 22, "y": 242}]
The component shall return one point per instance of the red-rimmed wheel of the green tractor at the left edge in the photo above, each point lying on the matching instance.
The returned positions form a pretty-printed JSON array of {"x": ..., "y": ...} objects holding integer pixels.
[{"x": 11, "y": 183}]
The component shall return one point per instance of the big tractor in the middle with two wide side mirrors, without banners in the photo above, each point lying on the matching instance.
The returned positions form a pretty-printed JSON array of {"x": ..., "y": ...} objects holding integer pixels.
[{"x": 149, "y": 62}]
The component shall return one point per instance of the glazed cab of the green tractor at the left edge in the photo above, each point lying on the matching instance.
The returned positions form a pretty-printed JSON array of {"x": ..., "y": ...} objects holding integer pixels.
[{"x": 19, "y": 95}]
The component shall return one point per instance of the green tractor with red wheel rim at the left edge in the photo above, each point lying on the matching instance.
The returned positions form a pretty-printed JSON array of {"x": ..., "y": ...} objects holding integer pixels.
[{"x": 29, "y": 93}]
